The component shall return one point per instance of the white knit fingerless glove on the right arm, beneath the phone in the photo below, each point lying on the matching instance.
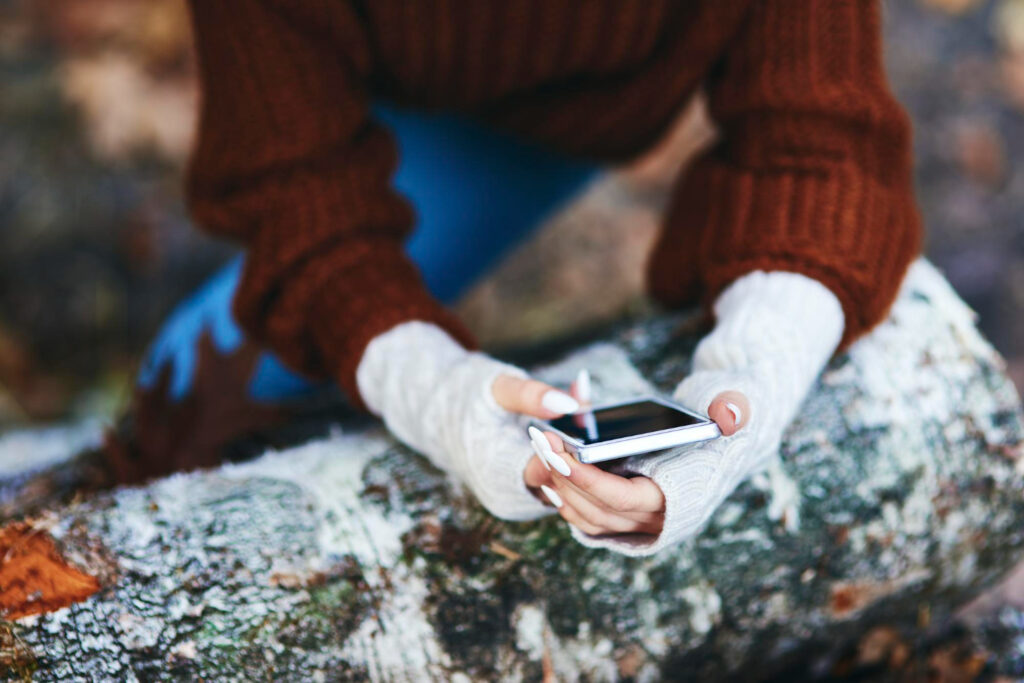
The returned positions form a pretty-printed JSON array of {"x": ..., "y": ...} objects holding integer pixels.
[{"x": 774, "y": 336}]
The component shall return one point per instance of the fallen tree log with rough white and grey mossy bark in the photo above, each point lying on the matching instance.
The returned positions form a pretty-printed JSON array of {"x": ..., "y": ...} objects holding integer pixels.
[{"x": 898, "y": 499}]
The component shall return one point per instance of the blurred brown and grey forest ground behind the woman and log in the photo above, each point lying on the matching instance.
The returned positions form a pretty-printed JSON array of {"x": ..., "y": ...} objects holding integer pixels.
[{"x": 98, "y": 103}]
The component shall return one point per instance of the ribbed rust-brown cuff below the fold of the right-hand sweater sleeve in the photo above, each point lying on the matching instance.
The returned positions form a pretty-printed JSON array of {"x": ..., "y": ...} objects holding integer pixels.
[{"x": 753, "y": 225}]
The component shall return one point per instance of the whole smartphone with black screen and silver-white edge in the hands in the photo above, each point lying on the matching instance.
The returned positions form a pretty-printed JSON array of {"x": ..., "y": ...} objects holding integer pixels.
[{"x": 630, "y": 429}]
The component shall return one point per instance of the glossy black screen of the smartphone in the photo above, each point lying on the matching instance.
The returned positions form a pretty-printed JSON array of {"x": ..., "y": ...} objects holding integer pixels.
[{"x": 622, "y": 421}]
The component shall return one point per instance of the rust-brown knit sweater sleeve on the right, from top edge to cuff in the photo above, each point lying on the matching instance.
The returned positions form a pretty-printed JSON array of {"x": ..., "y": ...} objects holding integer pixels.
[{"x": 813, "y": 173}]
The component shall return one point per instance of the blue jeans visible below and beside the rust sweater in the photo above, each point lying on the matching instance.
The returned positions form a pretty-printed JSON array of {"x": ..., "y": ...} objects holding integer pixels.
[{"x": 477, "y": 193}]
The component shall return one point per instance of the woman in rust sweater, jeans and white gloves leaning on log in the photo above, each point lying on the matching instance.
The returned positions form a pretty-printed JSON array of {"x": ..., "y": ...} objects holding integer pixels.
[{"x": 798, "y": 227}]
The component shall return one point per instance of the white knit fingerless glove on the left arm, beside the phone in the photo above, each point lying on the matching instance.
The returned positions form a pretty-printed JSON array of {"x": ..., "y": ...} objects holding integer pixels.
[{"x": 436, "y": 398}]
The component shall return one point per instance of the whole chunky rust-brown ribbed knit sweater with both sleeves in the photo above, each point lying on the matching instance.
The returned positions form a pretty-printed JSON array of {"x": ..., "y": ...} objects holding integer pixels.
[{"x": 813, "y": 174}]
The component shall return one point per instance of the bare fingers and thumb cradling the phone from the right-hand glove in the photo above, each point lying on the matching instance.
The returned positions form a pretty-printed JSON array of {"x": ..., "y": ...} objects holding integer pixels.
[{"x": 601, "y": 503}]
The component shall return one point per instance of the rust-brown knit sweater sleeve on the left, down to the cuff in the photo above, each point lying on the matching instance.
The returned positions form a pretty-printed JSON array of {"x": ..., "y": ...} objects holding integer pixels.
[{"x": 289, "y": 163}]
